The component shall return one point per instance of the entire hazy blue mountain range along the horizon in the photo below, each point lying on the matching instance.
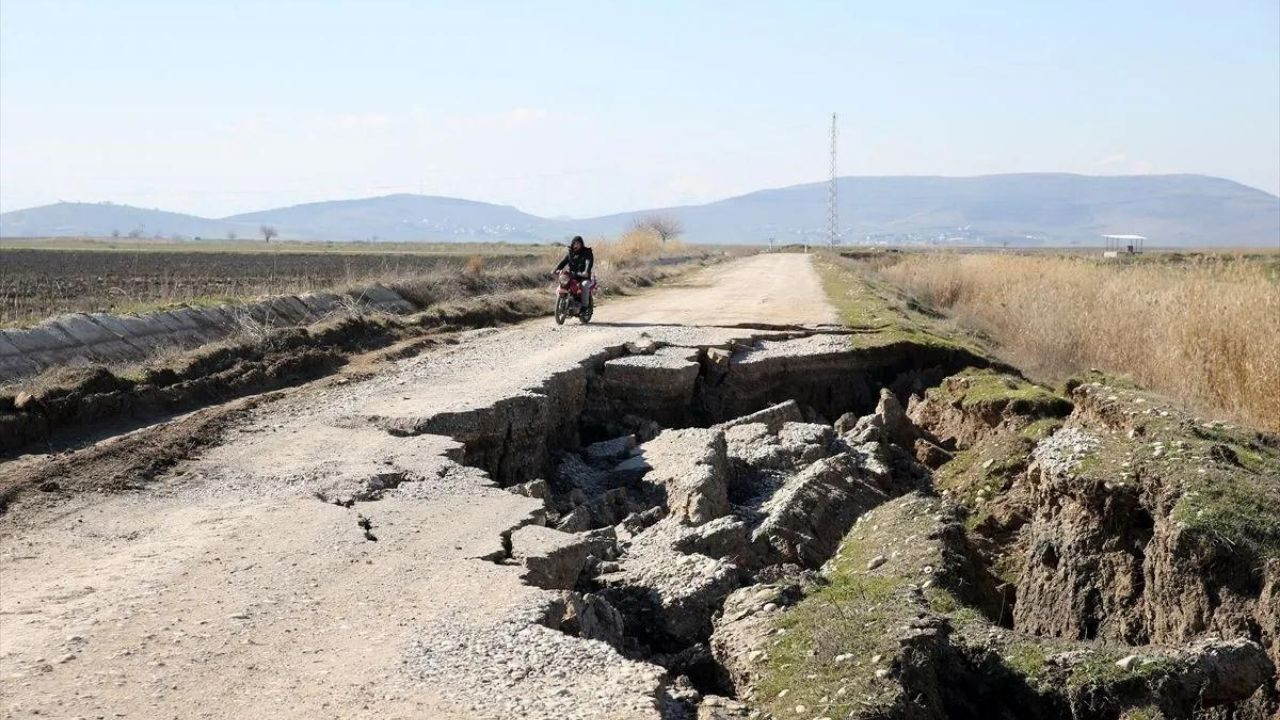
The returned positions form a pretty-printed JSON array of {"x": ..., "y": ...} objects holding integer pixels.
[{"x": 1009, "y": 209}]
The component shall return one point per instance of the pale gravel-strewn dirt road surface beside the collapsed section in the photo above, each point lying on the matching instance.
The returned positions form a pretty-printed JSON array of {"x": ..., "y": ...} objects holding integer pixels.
[{"x": 333, "y": 555}]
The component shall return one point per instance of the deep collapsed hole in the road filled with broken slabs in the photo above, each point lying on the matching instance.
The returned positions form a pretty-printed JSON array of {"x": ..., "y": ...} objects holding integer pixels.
[{"x": 668, "y": 479}]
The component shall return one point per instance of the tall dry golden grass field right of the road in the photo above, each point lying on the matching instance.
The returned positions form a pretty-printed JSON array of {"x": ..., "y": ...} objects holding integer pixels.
[{"x": 1205, "y": 331}]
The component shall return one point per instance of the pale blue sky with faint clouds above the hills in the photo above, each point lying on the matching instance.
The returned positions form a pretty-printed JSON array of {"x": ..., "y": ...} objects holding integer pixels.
[{"x": 588, "y": 108}]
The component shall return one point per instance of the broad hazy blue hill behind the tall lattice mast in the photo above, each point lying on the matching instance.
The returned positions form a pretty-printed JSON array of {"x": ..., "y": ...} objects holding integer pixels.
[{"x": 1022, "y": 209}]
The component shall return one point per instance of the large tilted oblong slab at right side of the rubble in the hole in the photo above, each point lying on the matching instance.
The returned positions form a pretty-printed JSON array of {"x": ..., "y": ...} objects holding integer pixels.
[{"x": 807, "y": 518}]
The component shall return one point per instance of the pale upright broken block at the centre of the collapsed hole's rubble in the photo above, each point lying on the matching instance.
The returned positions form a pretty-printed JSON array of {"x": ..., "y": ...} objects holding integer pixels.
[{"x": 693, "y": 467}]
